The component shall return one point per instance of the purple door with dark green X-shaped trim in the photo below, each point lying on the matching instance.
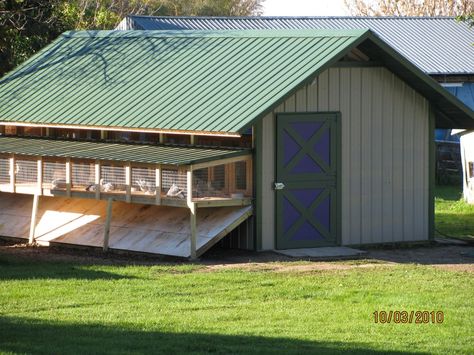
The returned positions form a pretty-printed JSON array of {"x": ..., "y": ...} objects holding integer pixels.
[{"x": 306, "y": 180}]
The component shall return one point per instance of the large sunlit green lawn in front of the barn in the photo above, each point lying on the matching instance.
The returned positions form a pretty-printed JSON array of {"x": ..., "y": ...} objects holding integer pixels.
[{"x": 63, "y": 308}]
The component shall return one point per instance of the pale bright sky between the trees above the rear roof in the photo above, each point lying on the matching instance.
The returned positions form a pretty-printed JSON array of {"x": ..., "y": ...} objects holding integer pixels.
[{"x": 304, "y": 8}]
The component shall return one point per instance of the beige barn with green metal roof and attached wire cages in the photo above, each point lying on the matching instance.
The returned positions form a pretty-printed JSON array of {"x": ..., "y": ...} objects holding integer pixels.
[{"x": 168, "y": 142}]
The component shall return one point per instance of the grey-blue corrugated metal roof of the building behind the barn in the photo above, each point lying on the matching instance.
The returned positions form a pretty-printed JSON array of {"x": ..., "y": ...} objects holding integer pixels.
[{"x": 437, "y": 45}]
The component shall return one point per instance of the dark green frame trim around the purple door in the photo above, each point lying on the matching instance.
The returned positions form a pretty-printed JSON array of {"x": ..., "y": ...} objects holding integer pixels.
[{"x": 338, "y": 154}]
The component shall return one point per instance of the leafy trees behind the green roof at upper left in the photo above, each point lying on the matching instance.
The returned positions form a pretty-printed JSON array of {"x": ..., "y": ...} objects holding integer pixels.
[{"x": 28, "y": 25}]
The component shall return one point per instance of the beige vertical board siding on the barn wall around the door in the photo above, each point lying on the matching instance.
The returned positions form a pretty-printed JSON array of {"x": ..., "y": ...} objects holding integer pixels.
[{"x": 384, "y": 167}]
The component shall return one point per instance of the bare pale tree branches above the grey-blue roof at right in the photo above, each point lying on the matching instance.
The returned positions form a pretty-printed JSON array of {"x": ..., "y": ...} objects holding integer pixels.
[{"x": 409, "y": 7}]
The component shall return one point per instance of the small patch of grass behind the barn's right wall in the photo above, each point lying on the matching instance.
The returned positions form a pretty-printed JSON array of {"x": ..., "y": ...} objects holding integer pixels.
[{"x": 453, "y": 216}]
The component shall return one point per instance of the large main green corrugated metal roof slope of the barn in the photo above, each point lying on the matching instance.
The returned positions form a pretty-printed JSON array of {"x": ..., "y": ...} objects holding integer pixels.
[{"x": 207, "y": 81}]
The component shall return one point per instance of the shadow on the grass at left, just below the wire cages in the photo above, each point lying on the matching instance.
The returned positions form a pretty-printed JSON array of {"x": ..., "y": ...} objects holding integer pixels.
[{"x": 24, "y": 269}]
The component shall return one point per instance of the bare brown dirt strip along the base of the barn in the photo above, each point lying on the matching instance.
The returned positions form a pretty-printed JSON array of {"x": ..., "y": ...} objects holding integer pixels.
[{"x": 453, "y": 258}]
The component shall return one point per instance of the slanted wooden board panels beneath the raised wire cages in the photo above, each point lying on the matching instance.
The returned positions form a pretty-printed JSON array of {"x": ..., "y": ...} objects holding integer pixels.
[{"x": 141, "y": 228}]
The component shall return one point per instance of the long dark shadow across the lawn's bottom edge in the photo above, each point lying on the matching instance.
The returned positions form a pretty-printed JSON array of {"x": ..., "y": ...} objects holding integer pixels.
[{"x": 32, "y": 336}]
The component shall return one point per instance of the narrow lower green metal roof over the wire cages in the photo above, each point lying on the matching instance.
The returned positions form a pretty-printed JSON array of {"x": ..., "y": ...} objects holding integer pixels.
[{"x": 138, "y": 153}]
